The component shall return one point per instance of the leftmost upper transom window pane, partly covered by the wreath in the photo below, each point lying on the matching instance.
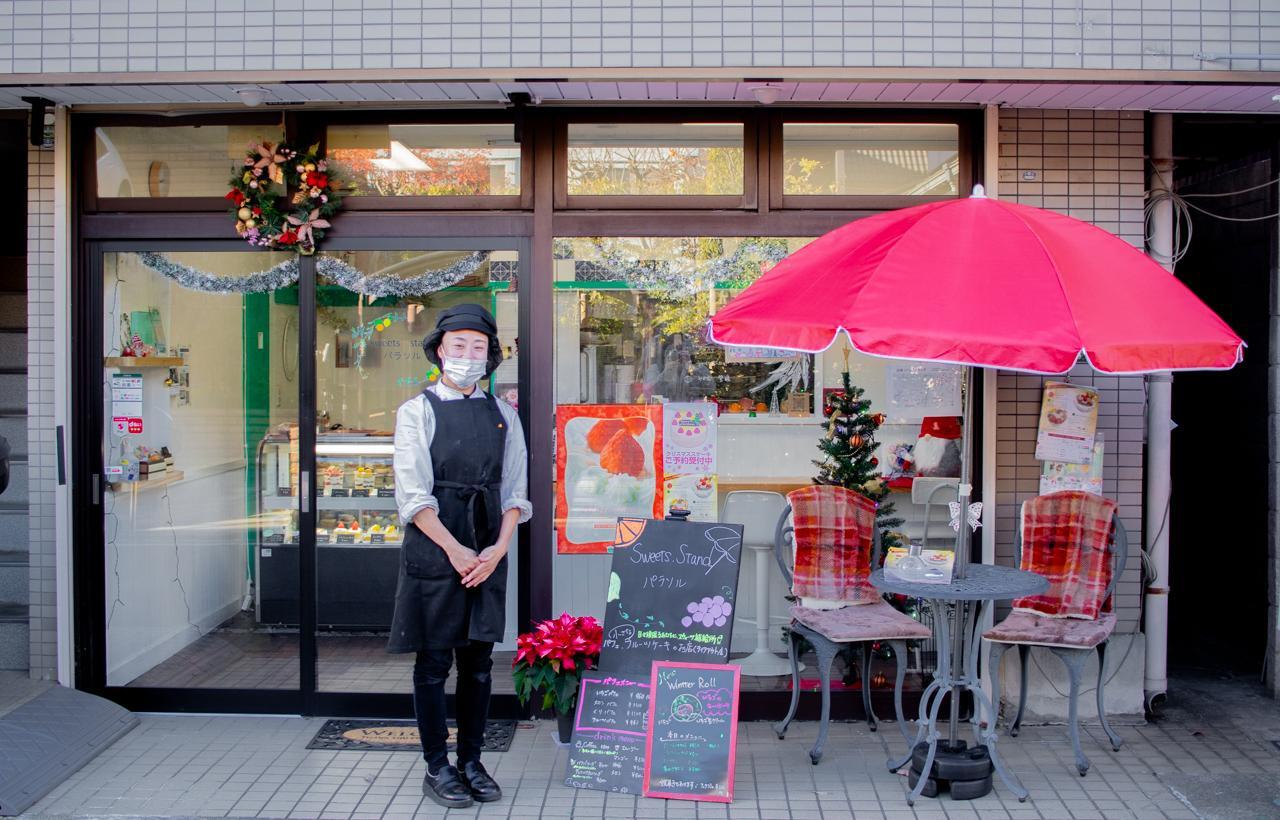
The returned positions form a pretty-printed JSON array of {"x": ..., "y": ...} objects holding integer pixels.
[{"x": 136, "y": 162}]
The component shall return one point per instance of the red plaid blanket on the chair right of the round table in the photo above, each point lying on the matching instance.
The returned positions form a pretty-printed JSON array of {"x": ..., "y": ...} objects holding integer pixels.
[{"x": 1067, "y": 538}]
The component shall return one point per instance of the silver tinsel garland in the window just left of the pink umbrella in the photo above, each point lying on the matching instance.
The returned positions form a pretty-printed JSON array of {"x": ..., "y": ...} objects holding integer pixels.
[{"x": 688, "y": 277}]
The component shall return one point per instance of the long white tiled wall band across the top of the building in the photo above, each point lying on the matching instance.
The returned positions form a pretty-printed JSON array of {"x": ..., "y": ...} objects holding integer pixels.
[{"x": 240, "y": 35}]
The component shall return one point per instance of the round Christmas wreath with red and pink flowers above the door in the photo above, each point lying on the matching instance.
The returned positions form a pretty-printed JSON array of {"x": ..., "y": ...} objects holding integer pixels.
[{"x": 284, "y": 198}]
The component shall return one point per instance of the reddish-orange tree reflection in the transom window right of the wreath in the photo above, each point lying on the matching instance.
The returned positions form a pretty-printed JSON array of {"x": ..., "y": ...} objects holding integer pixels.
[{"x": 450, "y": 172}]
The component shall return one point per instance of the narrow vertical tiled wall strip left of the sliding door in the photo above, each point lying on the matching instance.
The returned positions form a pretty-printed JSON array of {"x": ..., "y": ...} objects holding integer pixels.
[{"x": 40, "y": 411}]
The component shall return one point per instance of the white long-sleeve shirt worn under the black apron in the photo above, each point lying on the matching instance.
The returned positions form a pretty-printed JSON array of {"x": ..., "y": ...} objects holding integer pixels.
[{"x": 415, "y": 478}]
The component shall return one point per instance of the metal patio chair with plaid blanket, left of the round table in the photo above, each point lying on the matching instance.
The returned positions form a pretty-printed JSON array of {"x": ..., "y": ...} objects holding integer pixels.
[{"x": 836, "y": 606}]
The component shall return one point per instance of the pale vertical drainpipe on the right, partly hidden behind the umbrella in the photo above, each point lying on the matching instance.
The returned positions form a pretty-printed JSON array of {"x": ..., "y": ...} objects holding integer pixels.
[{"x": 1160, "y": 245}]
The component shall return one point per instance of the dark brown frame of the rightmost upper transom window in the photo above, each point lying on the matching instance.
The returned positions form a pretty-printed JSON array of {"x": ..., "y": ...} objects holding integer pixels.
[{"x": 968, "y": 132}]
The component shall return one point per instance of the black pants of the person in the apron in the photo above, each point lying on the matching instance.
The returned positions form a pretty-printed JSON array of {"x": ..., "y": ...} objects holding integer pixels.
[{"x": 476, "y": 684}]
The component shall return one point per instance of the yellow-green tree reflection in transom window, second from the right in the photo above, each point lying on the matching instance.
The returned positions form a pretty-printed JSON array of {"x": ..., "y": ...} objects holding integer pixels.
[{"x": 656, "y": 171}]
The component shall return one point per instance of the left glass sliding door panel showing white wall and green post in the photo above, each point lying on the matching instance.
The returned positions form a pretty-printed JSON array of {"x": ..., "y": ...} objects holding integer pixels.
[{"x": 199, "y": 391}]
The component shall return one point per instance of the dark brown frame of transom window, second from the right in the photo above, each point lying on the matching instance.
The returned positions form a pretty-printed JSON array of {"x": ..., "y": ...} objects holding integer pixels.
[{"x": 747, "y": 201}]
